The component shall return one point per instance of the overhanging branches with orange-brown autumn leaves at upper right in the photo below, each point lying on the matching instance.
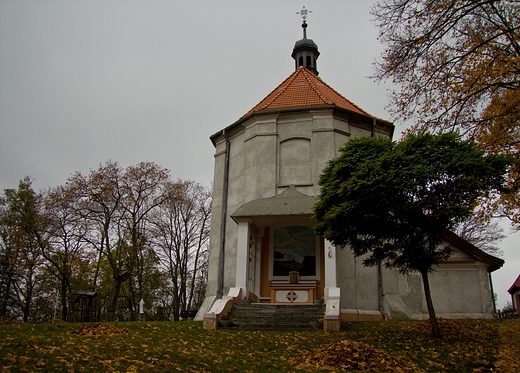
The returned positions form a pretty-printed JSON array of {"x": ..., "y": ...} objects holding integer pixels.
[{"x": 457, "y": 66}]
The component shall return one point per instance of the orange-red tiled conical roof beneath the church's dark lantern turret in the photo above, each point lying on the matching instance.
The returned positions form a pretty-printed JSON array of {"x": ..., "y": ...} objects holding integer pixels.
[{"x": 304, "y": 89}]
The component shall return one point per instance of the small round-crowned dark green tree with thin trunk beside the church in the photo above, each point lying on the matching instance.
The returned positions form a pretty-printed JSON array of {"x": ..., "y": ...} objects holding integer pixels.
[{"x": 393, "y": 201}]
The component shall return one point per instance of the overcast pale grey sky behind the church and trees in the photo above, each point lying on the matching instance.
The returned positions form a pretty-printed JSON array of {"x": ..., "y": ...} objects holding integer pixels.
[{"x": 82, "y": 82}]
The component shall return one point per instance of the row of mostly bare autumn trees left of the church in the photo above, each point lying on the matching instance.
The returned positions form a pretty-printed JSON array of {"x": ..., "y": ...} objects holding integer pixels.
[{"x": 126, "y": 233}]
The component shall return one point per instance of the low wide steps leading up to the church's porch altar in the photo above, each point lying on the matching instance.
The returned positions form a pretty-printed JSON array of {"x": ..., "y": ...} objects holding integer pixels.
[{"x": 275, "y": 316}]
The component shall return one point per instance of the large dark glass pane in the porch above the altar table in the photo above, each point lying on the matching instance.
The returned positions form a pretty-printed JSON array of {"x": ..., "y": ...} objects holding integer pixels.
[{"x": 294, "y": 250}]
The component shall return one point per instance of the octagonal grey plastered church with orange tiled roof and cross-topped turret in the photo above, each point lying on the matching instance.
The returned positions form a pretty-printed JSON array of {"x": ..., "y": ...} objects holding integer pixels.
[{"x": 262, "y": 247}]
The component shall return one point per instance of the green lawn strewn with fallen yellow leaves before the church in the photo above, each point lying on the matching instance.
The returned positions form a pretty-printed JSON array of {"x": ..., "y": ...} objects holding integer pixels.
[{"x": 466, "y": 346}]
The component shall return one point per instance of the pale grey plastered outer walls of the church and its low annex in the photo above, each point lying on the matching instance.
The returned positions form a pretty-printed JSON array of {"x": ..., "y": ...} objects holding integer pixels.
[{"x": 269, "y": 152}]
